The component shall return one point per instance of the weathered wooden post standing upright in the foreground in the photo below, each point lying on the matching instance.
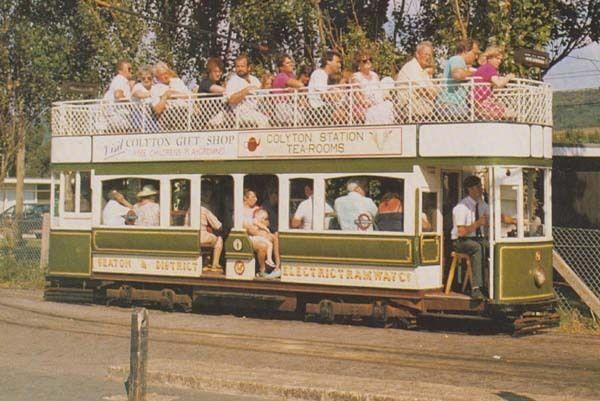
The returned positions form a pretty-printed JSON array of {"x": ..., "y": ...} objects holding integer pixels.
[{"x": 136, "y": 383}]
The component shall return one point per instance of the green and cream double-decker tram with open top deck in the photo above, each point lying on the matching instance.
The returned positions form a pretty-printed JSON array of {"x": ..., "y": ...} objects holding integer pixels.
[{"x": 359, "y": 211}]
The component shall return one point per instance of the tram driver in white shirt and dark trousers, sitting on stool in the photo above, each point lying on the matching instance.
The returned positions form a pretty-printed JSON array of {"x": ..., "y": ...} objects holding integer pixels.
[{"x": 470, "y": 220}]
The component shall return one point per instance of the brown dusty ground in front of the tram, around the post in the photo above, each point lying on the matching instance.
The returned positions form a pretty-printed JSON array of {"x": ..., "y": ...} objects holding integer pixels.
[{"x": 81, "y": 352}]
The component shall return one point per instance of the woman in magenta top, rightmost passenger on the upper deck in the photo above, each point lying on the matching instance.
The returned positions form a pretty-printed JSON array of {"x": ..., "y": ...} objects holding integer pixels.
[{"x": 487, "y": 78}]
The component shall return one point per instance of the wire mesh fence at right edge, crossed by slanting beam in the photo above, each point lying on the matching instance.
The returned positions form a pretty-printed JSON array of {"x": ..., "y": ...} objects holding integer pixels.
[{"x": 580, "y": 248}]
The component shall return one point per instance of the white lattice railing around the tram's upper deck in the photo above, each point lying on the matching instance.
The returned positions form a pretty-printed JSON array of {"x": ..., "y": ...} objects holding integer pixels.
[{"x": 521, "y": 101}]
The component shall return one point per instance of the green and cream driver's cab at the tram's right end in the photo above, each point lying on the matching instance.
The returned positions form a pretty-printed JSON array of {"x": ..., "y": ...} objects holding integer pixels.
[{"x": 519, "y": 234}]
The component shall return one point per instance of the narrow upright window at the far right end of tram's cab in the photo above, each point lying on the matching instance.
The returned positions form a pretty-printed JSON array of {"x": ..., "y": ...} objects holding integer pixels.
[{"x": 533, "y": 202}]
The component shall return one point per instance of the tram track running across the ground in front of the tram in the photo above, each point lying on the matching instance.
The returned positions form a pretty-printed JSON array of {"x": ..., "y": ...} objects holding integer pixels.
[{"x": 392, "y": 357}]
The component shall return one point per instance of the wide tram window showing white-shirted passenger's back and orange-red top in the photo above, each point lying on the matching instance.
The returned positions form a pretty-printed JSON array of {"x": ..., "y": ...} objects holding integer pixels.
[{"x": 365, "y": 203}]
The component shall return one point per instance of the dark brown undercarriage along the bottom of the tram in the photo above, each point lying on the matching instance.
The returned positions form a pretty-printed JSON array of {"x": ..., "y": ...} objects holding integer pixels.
[{"x": 377, "y": 307}]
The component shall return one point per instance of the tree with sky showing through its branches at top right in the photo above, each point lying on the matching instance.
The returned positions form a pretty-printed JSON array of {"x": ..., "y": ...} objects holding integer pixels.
[{"x": 554, "y": 25}]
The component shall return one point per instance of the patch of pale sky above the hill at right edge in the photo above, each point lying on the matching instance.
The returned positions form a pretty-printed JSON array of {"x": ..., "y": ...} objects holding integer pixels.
[{"x": 581, "y": 69}]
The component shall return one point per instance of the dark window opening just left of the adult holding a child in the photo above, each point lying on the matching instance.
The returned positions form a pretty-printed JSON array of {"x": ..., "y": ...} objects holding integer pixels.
[{"x": 216, "y": 194}]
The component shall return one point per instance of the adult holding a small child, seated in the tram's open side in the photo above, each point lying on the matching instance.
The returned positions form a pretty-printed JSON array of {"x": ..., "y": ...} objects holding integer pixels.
[{"x": 258, "y": 243}]
